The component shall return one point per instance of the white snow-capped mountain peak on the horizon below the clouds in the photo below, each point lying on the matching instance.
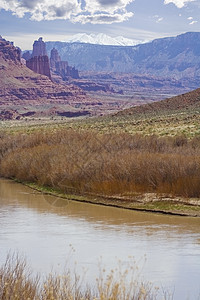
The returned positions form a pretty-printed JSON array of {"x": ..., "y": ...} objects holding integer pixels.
[{"x": 103, "y": 39}]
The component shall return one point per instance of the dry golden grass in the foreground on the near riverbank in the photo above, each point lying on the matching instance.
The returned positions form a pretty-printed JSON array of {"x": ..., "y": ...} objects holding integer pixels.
[{"x": 17, "y": 283}]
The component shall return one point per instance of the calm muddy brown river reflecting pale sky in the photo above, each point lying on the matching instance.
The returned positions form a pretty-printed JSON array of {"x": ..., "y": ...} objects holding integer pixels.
[{"x": 51, "y": 232}]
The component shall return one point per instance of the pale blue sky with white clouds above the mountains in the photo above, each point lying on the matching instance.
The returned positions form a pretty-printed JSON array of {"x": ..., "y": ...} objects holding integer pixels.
[{"x": 24, "y": 21}]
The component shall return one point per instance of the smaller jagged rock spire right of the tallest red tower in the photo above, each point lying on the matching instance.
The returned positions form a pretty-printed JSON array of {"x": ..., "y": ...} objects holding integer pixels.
[{"x": 61, "y": 68}]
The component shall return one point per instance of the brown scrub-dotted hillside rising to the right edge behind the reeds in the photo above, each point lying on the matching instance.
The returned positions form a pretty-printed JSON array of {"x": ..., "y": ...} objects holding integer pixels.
[{"x": 175, "y": 116}]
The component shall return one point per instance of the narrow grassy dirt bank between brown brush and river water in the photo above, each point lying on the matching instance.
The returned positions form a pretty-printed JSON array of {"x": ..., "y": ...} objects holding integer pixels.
[{"x": 149, "y": 202}]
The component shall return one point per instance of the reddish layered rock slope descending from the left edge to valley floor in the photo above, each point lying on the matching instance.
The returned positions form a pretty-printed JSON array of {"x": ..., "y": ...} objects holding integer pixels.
[{"x": 25, "y": 94}]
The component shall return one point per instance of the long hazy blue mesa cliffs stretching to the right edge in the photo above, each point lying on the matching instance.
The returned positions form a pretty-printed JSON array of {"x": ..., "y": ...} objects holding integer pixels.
[{"x": 175, "y": 57}]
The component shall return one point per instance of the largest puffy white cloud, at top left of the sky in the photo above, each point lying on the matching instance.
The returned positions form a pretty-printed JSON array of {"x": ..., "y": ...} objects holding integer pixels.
[{"x": 84, "y": 11}]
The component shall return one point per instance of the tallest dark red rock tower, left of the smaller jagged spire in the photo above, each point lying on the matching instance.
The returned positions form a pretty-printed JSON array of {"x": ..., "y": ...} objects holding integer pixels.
[{"x": 39, "y": 62}]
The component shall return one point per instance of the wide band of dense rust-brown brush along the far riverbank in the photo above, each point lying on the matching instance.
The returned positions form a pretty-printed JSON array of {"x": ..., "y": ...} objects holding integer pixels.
[{"x": 107, "y": 164}]
